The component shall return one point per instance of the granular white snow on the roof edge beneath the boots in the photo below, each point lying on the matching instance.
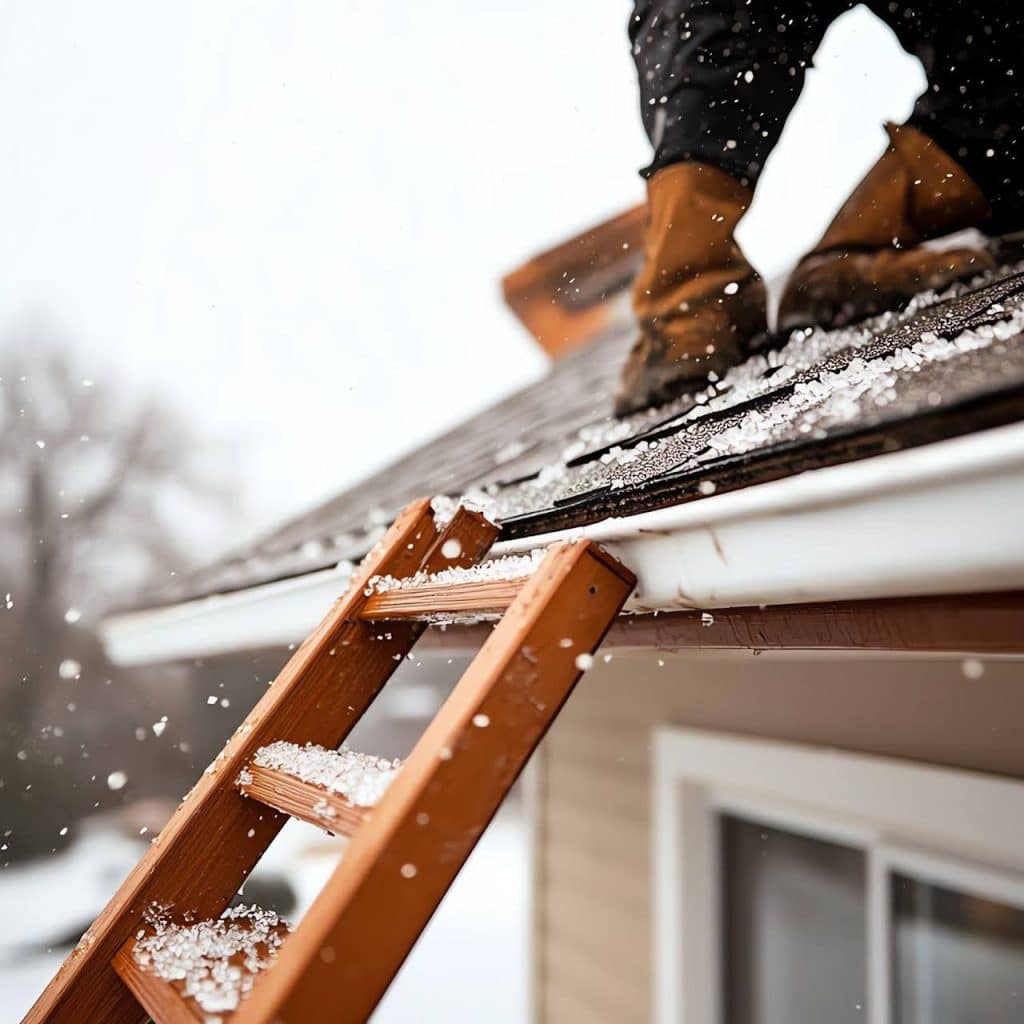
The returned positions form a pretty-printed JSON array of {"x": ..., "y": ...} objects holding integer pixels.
[{"x": 820, "y": 382}]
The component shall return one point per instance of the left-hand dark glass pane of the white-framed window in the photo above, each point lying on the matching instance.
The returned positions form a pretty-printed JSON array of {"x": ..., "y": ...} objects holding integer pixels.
[{"x": 795, "y": 923}]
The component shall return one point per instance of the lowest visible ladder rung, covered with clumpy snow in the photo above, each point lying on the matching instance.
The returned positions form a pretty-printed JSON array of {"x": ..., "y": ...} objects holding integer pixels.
[{"x": 201, "y": 972}]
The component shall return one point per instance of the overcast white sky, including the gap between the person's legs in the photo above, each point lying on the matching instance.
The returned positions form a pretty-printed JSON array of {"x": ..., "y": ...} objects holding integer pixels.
[{"x": 292, "y": 219}]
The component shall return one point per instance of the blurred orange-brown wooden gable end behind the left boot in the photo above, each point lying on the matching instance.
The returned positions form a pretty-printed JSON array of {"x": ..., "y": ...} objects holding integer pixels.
[{"x": 564, "y": 296}]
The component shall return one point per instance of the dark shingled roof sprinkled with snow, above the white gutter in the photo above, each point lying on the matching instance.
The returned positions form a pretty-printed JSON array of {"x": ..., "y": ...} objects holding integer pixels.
[{"x": 552, "y": 457}]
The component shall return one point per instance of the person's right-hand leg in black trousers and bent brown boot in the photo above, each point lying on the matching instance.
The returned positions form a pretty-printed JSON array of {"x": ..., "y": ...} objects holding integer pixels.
[{"x": 955, "y": 165}]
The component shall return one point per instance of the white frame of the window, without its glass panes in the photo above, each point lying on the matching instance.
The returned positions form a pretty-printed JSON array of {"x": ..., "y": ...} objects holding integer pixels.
[{"x": 958, "y": 829}]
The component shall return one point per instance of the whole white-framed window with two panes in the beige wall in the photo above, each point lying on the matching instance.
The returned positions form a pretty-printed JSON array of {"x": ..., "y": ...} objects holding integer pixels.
[{"x": 795, "y": 884}]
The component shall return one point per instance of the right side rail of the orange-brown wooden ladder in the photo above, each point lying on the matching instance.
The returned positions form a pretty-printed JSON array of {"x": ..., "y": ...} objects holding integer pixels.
[{"x": 401, "y": 864}]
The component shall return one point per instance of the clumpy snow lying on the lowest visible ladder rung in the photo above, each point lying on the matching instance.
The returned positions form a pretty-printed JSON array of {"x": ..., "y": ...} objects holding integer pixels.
[{"x": 217, "y": 962}]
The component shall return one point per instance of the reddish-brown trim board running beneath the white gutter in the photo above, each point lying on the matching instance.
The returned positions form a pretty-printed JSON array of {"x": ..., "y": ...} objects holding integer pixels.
[{"x": 976, "y": 624}]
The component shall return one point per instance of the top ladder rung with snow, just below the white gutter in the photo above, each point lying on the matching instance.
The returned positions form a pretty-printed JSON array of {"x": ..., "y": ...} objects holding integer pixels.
[{"x": 482, "y": 590}]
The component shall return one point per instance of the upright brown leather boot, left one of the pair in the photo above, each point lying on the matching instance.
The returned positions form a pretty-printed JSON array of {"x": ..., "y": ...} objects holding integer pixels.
[{"x": 699, "y": 303}]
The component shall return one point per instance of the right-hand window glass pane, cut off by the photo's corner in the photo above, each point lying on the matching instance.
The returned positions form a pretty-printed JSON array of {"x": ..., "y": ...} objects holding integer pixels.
[{"x": 957, "y": 958}]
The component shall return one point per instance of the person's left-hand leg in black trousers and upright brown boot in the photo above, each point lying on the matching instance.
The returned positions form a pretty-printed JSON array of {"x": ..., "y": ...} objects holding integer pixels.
[{"x": 718, "y": 79}]
